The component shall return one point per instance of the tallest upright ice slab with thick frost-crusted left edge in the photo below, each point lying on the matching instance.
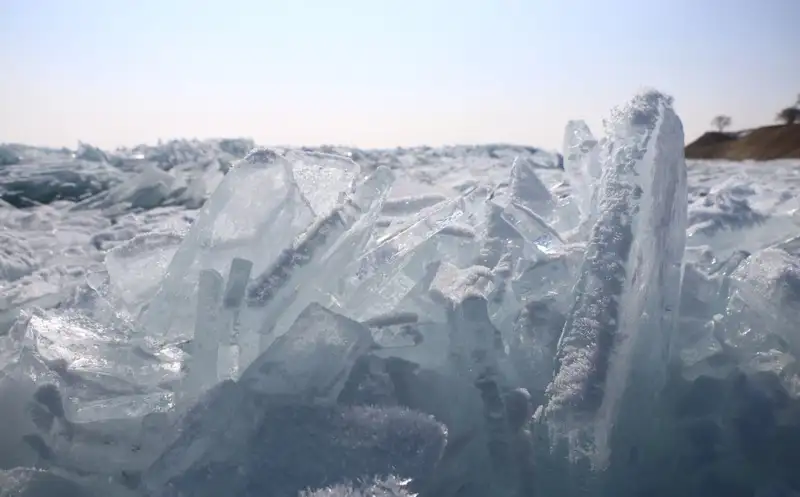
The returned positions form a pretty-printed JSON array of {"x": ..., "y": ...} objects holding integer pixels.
[{"x": 615, "y": 344}]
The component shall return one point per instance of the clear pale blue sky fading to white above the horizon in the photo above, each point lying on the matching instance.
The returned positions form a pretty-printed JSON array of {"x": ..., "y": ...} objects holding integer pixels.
[{"x": 382, "y": 73}]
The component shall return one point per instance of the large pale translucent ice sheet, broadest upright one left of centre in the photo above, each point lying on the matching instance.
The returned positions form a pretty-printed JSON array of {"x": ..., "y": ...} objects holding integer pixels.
[{"x": 254, "y": 214}]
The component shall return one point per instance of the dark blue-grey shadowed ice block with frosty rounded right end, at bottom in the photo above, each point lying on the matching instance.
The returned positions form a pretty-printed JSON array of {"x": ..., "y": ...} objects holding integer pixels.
[{"x": 237, "y": 442}]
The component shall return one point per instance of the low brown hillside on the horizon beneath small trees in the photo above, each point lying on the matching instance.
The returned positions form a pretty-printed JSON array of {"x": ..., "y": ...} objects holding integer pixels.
[{"x": 769, "y": 142}]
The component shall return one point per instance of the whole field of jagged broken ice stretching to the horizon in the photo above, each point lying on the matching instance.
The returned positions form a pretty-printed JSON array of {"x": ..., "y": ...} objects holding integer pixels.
[{"x": 214, "y": 319}]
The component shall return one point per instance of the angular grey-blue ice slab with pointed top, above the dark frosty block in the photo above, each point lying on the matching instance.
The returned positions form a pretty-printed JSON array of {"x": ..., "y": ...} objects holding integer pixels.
[{"x": 312, "y": 360}]
